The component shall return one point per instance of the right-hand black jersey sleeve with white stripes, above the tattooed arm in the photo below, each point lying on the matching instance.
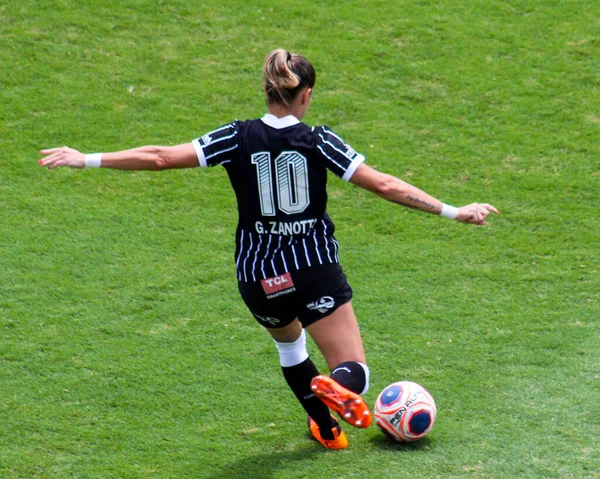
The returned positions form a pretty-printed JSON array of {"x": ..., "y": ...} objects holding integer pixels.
[{"x": 337, "y": 156}]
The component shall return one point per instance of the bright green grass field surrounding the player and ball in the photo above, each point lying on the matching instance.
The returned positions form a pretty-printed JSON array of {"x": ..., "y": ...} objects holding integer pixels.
[{"x": 125, "y": 351}]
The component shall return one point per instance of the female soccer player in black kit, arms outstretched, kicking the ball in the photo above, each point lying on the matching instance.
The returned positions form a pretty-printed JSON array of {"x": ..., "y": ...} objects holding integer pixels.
[{"x": 287, "y": 258}]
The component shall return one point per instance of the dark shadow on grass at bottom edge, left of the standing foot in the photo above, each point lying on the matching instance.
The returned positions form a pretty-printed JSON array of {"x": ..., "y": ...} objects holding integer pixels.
[{"x": 265, "y": 466}]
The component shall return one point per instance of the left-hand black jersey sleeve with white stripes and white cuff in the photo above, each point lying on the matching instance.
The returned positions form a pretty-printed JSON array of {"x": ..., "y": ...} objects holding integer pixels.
[{"x": 218, "y": 146}]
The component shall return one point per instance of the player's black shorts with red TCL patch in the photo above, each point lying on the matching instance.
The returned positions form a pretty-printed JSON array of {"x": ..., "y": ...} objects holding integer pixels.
[{"x": 308, "y": 294}]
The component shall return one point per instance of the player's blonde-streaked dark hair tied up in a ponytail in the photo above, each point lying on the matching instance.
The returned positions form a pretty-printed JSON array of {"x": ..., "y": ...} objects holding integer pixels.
[{"x": 285, "y": 75}]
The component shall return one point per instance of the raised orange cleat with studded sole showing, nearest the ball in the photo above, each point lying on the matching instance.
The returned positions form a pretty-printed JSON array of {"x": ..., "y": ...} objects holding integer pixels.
[{"x": 350, "y": 406}]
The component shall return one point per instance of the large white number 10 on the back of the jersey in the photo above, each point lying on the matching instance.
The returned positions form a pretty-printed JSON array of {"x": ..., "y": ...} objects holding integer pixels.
[{"x": 291, "y": 181}]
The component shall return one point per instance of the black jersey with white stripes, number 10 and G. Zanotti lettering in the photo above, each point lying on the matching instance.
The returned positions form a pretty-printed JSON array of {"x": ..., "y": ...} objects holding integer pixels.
[{"x": 278, "y": 170}]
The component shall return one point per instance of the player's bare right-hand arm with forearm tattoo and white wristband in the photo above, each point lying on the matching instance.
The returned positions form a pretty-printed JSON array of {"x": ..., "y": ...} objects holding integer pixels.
[{"x": 398, "y": 191}]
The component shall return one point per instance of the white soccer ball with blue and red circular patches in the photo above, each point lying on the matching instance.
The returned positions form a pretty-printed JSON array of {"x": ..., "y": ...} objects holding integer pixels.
[{"x": 405, "y": 411}]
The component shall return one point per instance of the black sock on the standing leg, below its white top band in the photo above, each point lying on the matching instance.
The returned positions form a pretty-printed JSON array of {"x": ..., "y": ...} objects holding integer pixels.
[{"x": 298, "y": 378}]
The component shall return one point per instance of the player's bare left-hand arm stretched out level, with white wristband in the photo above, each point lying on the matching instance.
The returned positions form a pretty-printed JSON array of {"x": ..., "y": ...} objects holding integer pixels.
[{"x": 145, "y": 158}]
